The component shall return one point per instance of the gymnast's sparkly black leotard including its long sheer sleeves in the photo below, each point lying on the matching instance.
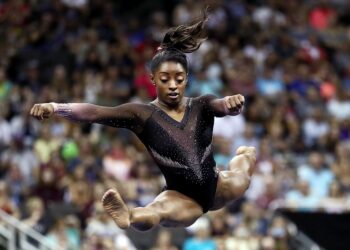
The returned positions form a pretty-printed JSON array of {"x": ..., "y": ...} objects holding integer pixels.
[{"x": 182, "y": 150}]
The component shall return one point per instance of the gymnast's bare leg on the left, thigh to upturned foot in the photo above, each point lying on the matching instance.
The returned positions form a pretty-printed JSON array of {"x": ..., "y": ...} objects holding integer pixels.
[{"x": 170, "y": 209}]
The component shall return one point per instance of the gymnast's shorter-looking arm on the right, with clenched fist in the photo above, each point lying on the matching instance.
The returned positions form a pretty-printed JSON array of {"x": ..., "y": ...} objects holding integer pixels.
[{"x": 229, "y": 105}]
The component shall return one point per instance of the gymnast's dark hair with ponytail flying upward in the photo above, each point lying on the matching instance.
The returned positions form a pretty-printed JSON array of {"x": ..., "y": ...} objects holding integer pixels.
[{"x": 178, "y": 41}]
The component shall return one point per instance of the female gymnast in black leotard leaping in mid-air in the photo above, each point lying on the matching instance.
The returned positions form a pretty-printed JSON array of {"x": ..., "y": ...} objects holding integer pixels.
[{"x": 177, "y": 132}]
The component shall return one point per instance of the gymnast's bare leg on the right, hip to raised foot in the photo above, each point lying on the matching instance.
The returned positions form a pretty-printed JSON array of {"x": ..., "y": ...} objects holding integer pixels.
[{"x": 233, "y": 183}]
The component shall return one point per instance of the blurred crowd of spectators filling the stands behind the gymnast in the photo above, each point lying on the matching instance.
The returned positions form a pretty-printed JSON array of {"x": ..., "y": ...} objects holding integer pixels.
[{"x": 290, "y": 59}]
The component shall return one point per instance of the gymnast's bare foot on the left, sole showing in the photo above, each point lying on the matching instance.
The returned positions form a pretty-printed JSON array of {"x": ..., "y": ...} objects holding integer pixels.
[{"x": 116, "y": 208}]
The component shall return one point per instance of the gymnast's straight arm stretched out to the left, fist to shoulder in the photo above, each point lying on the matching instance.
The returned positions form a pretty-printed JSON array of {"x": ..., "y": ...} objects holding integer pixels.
[{"x": 124, "y": 116}]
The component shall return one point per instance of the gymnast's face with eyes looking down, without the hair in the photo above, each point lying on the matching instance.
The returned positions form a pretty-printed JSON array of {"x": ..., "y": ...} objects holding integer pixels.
[{"x": 170, "y": 79}]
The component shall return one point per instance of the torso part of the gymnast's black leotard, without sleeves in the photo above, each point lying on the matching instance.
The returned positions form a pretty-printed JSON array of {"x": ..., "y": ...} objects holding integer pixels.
[{"x": 183, "y": 150}]
